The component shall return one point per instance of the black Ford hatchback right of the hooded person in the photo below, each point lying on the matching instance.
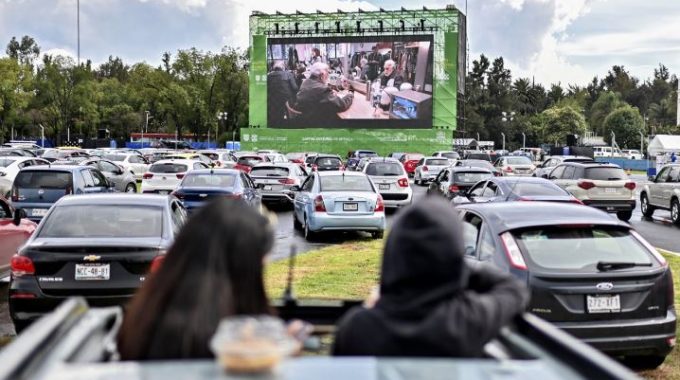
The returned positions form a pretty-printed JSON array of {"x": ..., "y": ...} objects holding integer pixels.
[{"x": 589, "y": 274}]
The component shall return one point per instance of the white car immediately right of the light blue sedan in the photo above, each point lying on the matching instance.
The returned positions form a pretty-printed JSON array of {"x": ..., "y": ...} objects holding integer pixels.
[{"x": 389, "y": 176}]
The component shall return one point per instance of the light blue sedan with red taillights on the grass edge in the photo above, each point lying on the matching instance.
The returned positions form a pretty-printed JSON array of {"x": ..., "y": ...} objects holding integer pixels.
[{"x": 338, "y": 201}]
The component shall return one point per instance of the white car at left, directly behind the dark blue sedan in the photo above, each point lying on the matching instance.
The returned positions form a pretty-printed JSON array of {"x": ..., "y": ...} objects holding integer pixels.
[{"x": 164, "y": 175}]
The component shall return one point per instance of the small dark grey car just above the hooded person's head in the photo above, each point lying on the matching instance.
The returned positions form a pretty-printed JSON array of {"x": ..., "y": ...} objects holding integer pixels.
[{"x": 454, "y": 181}]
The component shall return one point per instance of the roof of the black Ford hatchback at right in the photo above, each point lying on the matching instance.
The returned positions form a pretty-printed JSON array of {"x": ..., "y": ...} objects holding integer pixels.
[{"x": 506, "y": 216}]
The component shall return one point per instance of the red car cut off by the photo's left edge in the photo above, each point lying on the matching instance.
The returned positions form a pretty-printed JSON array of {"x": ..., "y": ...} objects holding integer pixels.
[{"x": 15, "y": 229}]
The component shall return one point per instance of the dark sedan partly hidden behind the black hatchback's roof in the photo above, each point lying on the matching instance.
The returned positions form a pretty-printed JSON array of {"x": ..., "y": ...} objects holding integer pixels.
[{"x": 508, "y": 189}]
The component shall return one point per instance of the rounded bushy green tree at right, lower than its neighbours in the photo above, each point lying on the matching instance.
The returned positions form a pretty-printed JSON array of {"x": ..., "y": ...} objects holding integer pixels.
[{"x": 626, "y": 123}]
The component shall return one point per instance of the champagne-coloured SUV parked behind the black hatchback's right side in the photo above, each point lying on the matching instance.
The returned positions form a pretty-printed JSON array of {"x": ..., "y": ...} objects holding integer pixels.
[{"x": 600, "y": 185}]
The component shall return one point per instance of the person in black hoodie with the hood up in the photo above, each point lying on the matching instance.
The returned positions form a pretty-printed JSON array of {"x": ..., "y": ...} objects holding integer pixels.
[{"x": 431, "y": 302}]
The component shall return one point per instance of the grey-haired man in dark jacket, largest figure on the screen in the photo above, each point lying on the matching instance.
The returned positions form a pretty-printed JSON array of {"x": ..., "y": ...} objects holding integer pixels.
[{"x": 316, "y": 101}]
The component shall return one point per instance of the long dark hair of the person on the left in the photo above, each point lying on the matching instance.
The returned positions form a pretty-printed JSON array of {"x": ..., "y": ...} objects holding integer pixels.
[{"x": 213, "y": 270}]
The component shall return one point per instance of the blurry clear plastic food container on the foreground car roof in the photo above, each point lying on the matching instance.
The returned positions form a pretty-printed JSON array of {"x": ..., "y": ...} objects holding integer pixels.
[{"x": 252, "y": 344}]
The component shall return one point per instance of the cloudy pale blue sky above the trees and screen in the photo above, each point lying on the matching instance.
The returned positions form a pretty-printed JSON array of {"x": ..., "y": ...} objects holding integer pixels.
[{"x": 566, "y": 41}]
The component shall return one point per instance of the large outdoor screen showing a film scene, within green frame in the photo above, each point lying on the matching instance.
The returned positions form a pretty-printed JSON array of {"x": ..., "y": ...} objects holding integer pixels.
[{"x": 350, "y": 82}]
